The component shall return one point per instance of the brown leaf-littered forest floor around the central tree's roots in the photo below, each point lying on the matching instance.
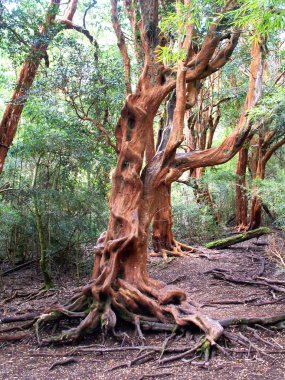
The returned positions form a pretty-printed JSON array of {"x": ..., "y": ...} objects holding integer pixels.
[{"x": 262, "y": 359}]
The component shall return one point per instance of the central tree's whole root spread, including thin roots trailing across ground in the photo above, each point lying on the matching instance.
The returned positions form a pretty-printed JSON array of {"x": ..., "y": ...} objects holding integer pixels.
[{"x": 148, "y": 308}]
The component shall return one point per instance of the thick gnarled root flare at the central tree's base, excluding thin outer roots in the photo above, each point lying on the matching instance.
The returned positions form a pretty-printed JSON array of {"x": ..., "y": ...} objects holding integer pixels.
[{"x": 147, "y": 305}]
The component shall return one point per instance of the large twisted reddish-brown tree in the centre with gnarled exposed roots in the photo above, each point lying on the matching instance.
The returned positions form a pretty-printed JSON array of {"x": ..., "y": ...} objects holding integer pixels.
[{"x": 120, "y": 284}]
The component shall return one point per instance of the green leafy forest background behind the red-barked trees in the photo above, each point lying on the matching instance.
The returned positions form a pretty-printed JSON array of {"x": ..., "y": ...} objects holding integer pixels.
[{"x": 55, "y": 184}]
